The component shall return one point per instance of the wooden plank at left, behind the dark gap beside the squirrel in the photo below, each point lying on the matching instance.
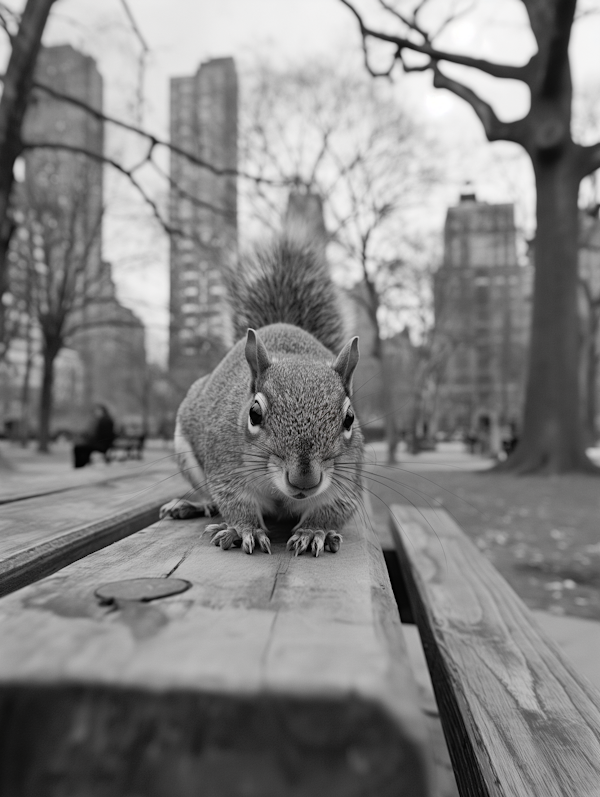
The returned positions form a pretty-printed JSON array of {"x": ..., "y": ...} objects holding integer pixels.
[{"x": 38, "y": 536}]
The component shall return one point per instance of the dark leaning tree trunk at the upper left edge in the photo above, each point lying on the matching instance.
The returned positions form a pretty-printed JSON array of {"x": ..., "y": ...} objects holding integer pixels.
[{"x": 16, "y": 90}]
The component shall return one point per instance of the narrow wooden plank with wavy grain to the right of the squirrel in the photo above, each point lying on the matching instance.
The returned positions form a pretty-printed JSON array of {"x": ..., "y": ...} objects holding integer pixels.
[{"x": 518, "y": 719}]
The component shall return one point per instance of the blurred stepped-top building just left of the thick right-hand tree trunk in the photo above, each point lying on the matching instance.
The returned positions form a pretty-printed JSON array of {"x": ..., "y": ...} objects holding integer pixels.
[{"x": 482, "y": 307}]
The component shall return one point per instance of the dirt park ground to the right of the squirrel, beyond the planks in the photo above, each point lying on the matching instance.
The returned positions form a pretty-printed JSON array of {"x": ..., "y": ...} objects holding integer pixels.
[{"x": 541, "y": 533}]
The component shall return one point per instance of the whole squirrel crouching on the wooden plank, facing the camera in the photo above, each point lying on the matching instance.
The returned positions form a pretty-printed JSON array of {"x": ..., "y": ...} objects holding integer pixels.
[{"x": 271, "y": 432}]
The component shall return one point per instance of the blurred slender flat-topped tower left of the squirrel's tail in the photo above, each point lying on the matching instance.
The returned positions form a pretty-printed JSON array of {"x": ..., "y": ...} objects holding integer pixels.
[{"x": 203, "y": 211}]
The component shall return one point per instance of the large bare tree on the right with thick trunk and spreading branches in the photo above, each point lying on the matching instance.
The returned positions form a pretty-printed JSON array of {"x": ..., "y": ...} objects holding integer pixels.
[{"x": 553, "y": 439}]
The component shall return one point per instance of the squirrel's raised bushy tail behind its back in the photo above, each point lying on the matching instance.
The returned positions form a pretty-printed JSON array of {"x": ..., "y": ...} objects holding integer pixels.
[{"x": 287, "y": 281}]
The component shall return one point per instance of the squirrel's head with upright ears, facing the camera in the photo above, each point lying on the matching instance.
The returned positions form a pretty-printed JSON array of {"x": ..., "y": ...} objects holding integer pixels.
[{"x": 299, "y": 418}]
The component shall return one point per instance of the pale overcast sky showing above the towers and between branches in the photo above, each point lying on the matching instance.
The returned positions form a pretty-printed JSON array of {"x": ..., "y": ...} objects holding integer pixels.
[{"x": 182, "y": 33}]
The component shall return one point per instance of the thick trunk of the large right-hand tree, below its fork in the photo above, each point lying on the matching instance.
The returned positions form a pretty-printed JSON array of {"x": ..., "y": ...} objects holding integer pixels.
[{"x": 553, "y": 439}]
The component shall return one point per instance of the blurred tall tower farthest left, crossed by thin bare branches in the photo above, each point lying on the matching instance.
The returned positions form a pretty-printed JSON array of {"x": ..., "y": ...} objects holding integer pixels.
[{"x": 107, "y": 337}]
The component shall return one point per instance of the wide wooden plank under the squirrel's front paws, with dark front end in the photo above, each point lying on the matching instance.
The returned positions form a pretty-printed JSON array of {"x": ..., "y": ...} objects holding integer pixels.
[{"x": 271, "y": 676}]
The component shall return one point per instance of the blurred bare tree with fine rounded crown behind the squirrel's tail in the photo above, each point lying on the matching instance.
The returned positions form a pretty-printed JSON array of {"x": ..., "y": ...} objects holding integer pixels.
[{"x": 323, "y": 131}]
